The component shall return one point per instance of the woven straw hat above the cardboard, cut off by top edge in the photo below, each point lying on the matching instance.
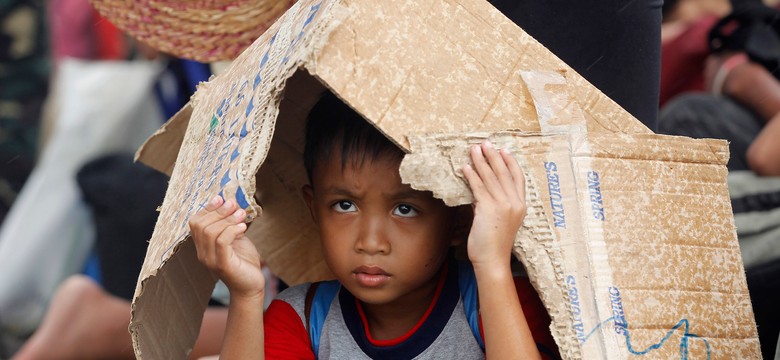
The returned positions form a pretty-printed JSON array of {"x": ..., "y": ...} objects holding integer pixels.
[{"x": 201, "y": 30}]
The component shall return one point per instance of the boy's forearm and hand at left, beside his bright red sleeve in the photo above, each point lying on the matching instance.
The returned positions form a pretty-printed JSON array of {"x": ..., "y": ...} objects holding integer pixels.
[{"x": 218, "y": 234}]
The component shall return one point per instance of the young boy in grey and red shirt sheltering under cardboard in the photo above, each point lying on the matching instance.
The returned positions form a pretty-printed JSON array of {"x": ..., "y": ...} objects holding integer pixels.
[{"x": 390, "y": 248}]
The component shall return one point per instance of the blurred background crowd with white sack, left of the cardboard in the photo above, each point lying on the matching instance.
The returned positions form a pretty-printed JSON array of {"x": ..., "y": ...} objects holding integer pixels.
[{"x": 67, "y": 138}]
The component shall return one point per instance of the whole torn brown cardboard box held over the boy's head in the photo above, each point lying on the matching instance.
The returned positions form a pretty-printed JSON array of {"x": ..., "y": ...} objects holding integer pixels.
[{"x": 629, "y": 238}]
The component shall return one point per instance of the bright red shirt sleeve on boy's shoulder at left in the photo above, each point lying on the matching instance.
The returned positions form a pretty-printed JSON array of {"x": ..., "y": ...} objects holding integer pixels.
[{"x": 285, "y": 335}]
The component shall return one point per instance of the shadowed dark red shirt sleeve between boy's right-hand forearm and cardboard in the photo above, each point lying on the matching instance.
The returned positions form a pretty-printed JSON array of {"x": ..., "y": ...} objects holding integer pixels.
[{"x": 537, "y": 317}]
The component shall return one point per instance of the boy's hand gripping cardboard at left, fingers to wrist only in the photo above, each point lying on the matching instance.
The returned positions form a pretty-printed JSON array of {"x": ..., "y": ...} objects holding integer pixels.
[{"x": 219, "y": 235}]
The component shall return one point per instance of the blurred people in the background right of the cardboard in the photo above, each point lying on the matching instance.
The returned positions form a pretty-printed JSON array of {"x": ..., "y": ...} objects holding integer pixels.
[{"x": 721, "y": 80}]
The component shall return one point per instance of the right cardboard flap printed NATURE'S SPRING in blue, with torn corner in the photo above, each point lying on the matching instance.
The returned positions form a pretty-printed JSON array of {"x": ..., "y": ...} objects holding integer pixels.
[{"x": 629, "y": 239}]
